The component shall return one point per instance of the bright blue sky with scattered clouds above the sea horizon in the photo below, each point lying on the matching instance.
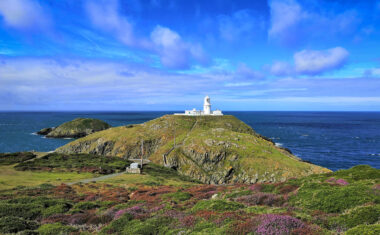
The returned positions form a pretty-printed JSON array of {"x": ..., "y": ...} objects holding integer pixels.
[{"x": 169, "y": 54}]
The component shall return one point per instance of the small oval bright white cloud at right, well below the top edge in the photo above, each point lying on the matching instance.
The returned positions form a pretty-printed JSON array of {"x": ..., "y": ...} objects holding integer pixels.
[{"x": 316, "y": 62}]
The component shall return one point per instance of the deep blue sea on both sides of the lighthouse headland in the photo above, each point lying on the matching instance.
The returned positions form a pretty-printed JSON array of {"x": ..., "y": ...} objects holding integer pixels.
[{"x": 336, "y": 140}]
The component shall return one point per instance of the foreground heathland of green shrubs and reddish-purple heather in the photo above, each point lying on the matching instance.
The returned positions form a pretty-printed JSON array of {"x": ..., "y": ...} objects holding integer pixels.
[{"x": 343, "y": 202}]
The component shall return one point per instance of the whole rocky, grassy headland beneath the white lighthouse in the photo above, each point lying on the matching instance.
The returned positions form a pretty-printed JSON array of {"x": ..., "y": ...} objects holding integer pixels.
[{"x": 208, "y": 148}]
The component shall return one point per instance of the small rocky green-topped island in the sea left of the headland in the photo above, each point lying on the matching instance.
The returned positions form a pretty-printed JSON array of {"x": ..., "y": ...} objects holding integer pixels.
[{"x": 76, "y": 128}]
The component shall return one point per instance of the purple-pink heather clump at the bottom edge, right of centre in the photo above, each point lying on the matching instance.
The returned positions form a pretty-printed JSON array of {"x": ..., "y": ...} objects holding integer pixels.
[{"x": 272, "y": 224}]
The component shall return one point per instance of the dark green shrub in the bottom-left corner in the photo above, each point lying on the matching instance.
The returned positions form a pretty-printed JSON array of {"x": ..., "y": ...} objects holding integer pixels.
[{"x": 12, "y": 224}]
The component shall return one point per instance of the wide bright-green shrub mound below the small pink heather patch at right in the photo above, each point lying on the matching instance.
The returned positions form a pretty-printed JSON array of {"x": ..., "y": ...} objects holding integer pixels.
[{"x": 332, "y": 199}]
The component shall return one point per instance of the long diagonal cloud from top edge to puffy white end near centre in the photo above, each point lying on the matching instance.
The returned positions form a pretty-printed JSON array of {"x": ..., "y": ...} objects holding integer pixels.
[{"x": 174, "y": 52}]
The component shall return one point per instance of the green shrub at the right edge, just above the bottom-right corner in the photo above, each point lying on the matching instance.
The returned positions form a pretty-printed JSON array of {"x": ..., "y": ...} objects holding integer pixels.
[{"x": 357, "y": 216}]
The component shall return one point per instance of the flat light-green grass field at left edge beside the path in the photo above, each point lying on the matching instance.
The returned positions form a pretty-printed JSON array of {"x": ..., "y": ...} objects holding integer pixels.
[{"x": 10, "y": 178}]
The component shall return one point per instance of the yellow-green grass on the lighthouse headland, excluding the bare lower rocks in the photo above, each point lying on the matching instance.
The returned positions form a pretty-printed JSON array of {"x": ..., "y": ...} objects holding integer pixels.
[{"x": 255, "y": 155}]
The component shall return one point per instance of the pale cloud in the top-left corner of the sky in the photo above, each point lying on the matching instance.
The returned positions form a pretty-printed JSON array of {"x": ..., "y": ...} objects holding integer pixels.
[{"x": 24, "y": 14}]
